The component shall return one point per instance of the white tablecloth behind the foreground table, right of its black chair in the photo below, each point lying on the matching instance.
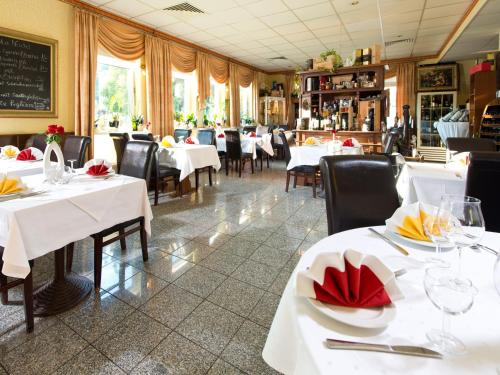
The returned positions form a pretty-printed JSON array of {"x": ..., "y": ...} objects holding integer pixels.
[{"x": 428, "y": 182}]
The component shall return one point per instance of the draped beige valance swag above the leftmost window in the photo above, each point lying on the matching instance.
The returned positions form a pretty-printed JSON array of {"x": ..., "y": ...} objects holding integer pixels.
[{"x": 121, "y": 41}]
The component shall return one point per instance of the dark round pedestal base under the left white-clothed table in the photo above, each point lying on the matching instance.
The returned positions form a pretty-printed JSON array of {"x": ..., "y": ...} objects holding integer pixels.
[{"x": 62, "y": 293}]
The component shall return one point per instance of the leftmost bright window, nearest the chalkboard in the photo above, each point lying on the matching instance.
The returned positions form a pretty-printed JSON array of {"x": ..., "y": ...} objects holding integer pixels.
[{"x": 117, "y": 91}]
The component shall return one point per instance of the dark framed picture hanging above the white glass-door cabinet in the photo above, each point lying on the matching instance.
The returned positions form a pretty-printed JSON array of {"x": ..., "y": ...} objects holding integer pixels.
[{"x": 437, "y": 77}]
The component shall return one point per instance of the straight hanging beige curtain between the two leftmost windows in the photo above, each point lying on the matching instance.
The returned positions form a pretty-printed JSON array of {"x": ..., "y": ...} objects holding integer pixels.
[{"x": 159, "y": 85}]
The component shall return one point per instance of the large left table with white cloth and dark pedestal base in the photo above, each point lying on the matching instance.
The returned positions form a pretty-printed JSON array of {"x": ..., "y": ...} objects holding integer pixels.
[{"x": 56, "y": 216}]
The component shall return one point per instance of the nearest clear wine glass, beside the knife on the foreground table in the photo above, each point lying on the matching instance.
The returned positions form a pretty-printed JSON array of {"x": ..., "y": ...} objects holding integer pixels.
[{"x": 453, "y": 295}]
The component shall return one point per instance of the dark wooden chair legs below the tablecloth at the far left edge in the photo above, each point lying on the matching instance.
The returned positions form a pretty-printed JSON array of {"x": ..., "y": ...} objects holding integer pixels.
[{"x": 27, "y": 284}]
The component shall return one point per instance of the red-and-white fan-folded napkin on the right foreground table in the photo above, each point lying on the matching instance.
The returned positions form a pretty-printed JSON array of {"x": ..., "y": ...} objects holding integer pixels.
[{"x": 351, "y": 279}]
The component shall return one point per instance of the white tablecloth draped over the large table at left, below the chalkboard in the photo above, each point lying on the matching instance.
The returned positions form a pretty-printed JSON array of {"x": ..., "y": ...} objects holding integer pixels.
[{"x": 34, "y": 226}]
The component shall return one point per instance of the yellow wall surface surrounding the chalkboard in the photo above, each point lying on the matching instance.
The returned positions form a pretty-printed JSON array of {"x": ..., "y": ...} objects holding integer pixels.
[{"x": 51, "y": 19}]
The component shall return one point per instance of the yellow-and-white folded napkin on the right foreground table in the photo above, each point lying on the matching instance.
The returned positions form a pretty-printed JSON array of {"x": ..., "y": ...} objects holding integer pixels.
[{"x": 408, "y": 221}]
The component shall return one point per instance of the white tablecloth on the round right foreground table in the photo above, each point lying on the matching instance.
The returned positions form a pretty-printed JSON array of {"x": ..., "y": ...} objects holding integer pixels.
[{"x": 295, "y": 344}]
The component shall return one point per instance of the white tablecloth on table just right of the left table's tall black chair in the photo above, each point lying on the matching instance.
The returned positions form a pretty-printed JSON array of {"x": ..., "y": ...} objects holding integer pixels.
[{"x": 187, "y": 158}]
